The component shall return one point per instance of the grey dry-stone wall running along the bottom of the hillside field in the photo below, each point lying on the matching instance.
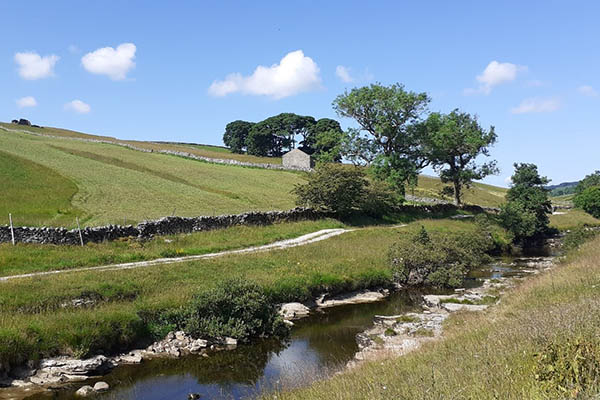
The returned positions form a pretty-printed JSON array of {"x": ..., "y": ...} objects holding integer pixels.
[{"x": 147, "y": 229}]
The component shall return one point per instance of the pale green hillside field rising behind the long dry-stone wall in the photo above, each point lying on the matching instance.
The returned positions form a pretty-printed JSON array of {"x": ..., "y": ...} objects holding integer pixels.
[{"x": 51, "y": 177}]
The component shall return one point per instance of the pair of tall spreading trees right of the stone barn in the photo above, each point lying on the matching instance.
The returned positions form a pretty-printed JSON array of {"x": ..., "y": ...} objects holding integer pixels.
[{"x": 399, "y": 137}]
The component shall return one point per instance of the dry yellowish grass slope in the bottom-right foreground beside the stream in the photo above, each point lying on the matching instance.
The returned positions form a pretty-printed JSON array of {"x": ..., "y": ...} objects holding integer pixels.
[{"x": 541, "y": 342}]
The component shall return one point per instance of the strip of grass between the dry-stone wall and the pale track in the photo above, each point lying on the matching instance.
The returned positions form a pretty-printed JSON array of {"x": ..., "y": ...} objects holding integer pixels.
[{"x": 26, "y": 258}]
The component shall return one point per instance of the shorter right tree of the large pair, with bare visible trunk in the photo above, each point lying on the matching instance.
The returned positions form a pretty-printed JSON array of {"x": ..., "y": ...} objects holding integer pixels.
[{"x": 453, "y": 142}]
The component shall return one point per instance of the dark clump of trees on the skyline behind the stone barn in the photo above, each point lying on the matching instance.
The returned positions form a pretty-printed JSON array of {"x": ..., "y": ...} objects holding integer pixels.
[{"x": 276, "y": 135}]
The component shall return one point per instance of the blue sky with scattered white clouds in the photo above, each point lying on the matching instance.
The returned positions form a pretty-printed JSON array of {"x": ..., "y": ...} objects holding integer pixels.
[{"x": 182, "y": 70}]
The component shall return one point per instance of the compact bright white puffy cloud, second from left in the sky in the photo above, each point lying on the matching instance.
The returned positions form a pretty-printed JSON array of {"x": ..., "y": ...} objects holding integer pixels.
[{"x": 114, "y": 63}]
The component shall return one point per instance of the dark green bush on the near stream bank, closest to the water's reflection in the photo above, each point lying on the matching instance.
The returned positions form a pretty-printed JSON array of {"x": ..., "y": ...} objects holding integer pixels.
[{"x": 234, "y": 308}]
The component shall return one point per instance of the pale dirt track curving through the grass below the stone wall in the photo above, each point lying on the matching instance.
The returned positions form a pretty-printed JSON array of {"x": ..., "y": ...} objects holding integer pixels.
[{"x": 282, "y": 244}]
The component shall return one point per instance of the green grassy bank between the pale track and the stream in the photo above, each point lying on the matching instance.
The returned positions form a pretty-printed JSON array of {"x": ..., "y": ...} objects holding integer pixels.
[{"x": 37, "y": 316}]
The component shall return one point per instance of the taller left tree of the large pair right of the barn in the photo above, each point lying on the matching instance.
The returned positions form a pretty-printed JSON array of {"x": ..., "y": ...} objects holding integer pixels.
[{"x": 389, "y": 115}]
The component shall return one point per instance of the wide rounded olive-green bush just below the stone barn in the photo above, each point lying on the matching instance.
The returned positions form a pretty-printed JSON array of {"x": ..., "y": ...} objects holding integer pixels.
[{"x": 344, "y": 190}]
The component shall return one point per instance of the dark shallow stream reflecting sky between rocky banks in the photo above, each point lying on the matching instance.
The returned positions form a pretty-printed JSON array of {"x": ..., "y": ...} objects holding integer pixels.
[{"x": 318, "y": 346}]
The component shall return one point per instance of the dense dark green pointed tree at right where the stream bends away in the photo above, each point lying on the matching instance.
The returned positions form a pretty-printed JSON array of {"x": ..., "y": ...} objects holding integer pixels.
[{"x": 525, "y": 213}]
